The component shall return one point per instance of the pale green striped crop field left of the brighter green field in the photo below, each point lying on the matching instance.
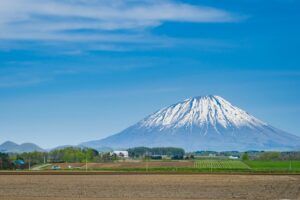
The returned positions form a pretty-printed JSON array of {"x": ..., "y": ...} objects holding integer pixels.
[{"x": 221, "y": 164}]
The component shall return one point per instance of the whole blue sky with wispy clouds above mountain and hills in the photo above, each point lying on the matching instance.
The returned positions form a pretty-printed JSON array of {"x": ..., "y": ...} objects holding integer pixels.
[{"x": 74, "y": 70}]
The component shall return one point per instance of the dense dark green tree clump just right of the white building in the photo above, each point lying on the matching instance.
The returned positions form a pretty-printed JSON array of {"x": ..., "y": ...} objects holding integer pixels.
[{"x": 142, "y": 152}]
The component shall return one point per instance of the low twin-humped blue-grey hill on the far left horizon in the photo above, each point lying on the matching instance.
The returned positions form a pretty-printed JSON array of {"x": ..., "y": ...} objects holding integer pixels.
[{"x": 11, "y": 147}]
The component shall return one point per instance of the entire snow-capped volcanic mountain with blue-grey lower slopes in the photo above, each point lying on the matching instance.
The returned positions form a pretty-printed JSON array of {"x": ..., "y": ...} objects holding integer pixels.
[{"x": 202, "y": 123}]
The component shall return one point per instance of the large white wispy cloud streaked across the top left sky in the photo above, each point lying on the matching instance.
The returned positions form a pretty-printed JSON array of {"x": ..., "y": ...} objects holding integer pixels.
[{"x": 97, "y": 20}]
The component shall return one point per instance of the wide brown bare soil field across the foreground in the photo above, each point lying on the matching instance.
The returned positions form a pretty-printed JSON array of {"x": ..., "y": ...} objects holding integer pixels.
[{"x": 154, "y": 187}]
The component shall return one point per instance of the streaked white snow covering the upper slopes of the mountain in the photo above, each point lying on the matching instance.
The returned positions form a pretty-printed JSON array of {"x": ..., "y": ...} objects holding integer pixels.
[{"x": 201, "y": 111}]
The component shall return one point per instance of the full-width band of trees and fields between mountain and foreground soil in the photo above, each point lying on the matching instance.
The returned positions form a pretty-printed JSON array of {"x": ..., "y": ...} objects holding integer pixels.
[{"x": 202, "y": 161}]
